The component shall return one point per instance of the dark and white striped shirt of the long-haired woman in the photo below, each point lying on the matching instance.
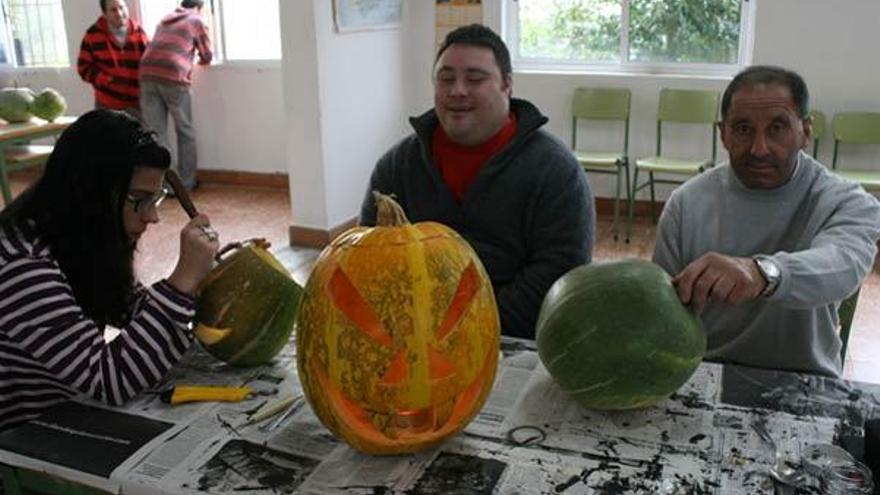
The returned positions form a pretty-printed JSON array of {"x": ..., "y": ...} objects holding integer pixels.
[{"x": 50, "y": 350}]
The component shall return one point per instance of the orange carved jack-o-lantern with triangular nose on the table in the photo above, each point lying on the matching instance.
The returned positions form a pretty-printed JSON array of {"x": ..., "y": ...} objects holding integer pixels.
[{"x": 397, "y": 334}]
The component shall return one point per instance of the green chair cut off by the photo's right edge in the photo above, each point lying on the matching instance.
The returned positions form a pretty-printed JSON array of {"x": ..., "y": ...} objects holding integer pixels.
[{"x": 857, "y": 128}]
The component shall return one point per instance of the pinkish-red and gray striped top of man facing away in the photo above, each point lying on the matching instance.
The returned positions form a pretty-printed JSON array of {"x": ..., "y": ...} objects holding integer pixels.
[{"x": 170, "y": 55}]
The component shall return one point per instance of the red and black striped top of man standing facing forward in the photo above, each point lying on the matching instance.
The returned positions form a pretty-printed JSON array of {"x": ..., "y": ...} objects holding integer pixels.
[{"x": 111, "y": 68}]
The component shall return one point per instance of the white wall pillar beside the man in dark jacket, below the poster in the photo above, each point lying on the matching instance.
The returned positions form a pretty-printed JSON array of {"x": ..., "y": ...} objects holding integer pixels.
[{"x": 345, "y": 96}]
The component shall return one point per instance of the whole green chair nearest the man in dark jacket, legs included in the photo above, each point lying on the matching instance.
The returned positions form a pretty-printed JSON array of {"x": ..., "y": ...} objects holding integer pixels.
[{"x": 604, "y": 104}]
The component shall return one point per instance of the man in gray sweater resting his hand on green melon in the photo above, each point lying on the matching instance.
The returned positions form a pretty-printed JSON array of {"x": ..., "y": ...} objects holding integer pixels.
[{"x": 767, "y": 246}]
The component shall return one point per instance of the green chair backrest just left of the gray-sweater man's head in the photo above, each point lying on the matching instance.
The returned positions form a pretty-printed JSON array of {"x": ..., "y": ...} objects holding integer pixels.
[{"x": 688, "y": 106}]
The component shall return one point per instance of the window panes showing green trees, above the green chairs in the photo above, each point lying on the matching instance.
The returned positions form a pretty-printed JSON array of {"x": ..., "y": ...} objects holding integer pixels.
[{"x": 630, "y": 35}]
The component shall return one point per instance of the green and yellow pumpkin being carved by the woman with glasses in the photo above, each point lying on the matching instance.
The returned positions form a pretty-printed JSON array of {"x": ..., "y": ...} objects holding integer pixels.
[{"x": 246, "y": 308}]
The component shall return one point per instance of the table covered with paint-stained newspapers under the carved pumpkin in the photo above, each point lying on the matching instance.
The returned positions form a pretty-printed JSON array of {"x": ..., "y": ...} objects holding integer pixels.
[{"x": 528, "y": 438}]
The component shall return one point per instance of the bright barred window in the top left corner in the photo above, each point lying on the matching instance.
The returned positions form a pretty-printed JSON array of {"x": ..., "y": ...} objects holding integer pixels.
[{"x": 32, "y": 33}]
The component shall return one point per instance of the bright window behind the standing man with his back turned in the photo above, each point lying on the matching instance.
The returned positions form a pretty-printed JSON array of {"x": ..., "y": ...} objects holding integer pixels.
[{"x": 240, "y": 29}]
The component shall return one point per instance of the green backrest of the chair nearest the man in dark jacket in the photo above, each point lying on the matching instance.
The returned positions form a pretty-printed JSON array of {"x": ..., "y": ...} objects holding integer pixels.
[{"x": 600, "y": 104}]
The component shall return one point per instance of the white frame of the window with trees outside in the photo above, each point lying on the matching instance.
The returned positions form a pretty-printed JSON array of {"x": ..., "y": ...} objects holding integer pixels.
[{"x": 510, "y": 31}]
